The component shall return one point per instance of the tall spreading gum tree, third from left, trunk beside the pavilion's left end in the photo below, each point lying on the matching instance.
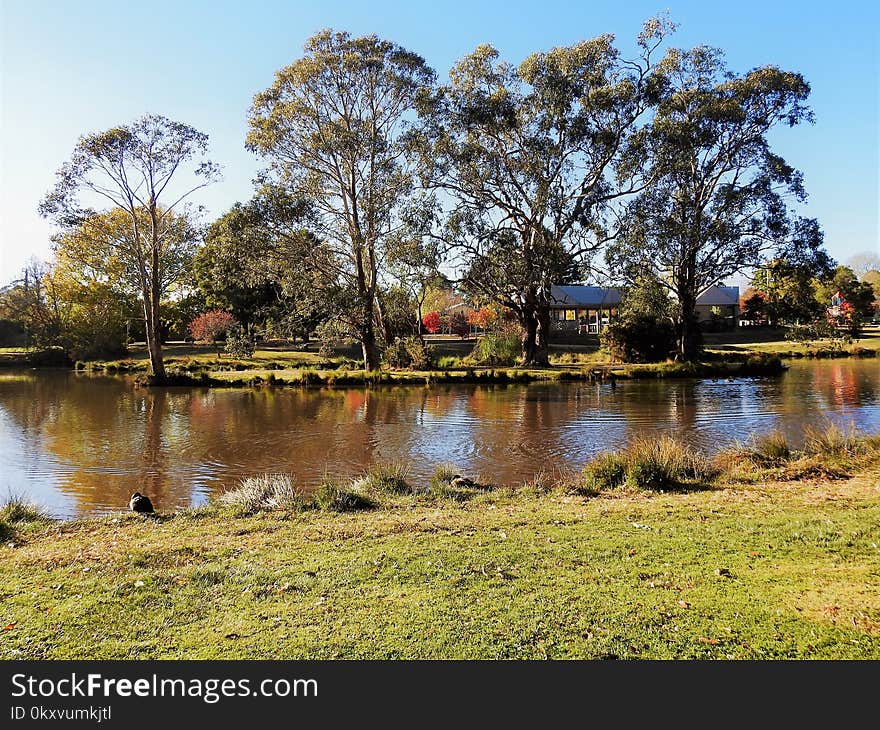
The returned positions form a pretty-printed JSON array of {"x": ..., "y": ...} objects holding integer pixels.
[{"x": 536, "y": 139}]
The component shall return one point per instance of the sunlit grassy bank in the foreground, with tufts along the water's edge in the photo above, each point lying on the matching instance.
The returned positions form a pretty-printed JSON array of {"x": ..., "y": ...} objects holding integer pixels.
[{"x": 761, "y": 556}]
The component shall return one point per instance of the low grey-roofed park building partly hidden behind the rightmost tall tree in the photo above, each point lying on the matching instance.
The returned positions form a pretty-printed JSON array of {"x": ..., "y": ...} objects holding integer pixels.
[{"x": 589, "y": 309}]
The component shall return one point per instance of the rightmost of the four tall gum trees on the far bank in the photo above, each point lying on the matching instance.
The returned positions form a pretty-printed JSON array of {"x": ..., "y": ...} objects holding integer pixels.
[{"x": 717, "y": 203}]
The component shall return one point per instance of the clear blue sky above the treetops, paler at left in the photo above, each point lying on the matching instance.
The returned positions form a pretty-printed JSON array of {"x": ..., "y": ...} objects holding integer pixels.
[{"x": 68, "y": 67}]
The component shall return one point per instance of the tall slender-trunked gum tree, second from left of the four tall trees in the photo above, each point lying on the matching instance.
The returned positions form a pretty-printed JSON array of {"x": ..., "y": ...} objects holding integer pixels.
[{"x": 342, "y": 165}]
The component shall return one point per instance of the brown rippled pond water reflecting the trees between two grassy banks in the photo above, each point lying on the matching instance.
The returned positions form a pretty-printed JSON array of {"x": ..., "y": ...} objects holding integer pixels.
[{"x": 82, "y": 444}]
